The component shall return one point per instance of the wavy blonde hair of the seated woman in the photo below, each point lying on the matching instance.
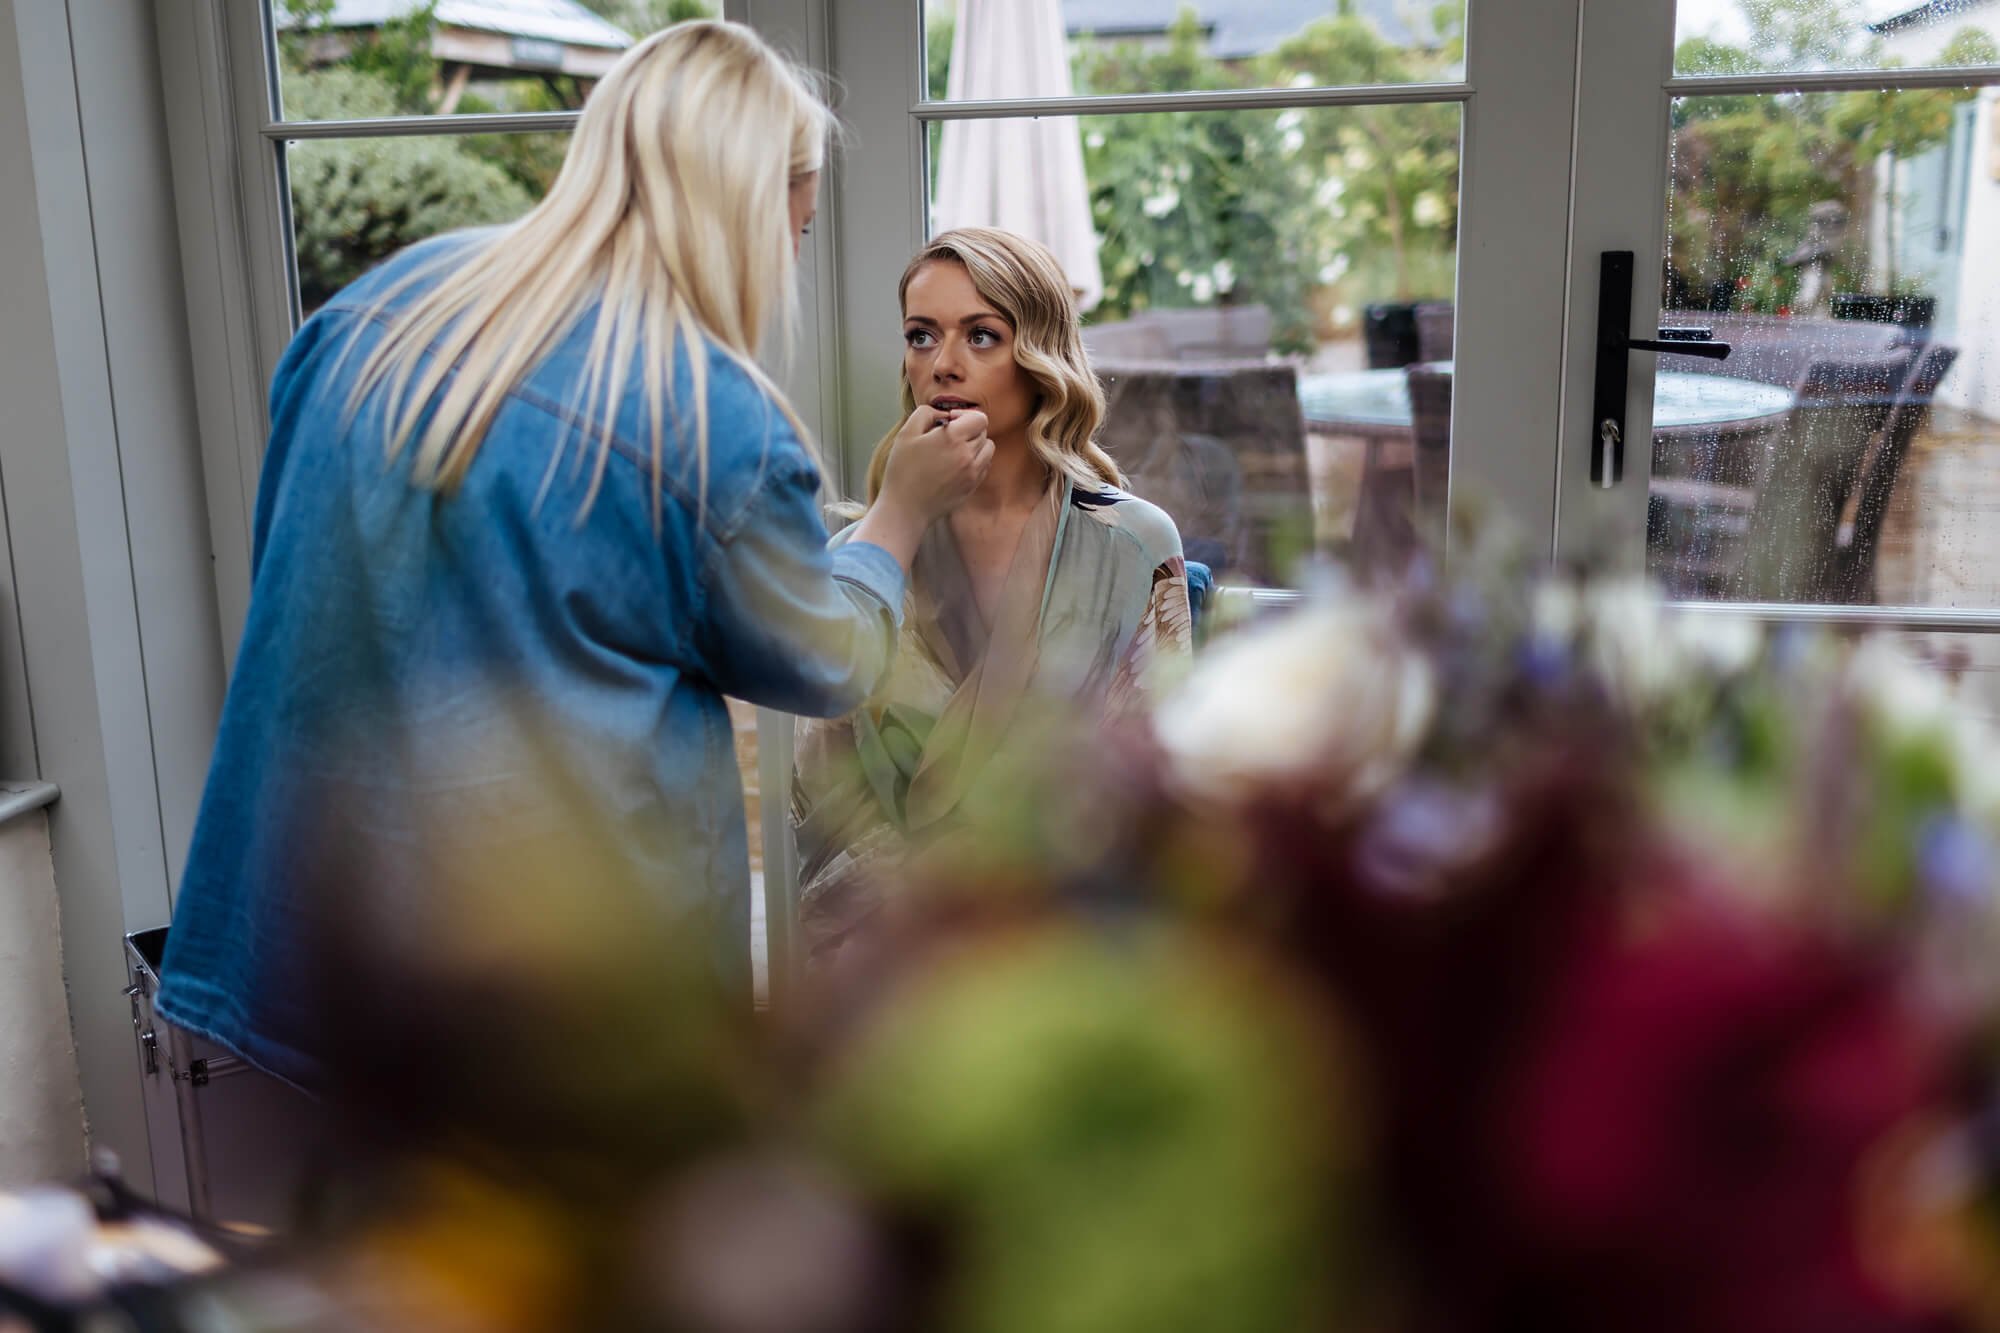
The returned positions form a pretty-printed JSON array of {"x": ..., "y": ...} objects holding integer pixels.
[{"x": 1027, "y": 287}]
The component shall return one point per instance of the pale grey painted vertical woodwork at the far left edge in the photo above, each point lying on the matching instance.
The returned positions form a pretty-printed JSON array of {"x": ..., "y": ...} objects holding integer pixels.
[{"x": 105, "y": 505}]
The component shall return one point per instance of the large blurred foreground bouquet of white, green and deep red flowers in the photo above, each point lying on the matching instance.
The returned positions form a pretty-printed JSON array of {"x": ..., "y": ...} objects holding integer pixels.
[{"x": 1465, "y": 960}]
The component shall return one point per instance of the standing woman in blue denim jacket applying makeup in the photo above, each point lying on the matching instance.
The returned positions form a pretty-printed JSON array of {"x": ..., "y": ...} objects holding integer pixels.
[{"x": 527, "y": 515}]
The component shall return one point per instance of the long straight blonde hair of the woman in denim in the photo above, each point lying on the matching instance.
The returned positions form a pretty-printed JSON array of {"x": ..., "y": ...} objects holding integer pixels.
[{"x": 671, "y": 215}]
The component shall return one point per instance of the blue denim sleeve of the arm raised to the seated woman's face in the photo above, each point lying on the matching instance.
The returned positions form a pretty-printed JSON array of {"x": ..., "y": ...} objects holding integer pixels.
[{"x": 793, "y": 625}]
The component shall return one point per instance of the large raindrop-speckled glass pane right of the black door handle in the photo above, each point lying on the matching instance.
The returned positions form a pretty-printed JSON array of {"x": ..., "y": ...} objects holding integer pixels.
[{"x": 1849, "y": 449}]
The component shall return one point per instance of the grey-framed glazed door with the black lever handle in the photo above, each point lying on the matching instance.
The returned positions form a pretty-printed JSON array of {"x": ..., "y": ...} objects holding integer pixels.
[{"x": 1825, "y": 181}]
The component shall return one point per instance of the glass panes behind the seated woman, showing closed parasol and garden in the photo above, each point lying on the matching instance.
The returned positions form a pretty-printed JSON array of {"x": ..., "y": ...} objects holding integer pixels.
[{"x": 1267, "y": 291}]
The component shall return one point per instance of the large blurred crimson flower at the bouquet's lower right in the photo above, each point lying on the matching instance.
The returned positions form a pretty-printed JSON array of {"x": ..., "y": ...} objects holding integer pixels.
[{"x": 1683, "y": 1144}]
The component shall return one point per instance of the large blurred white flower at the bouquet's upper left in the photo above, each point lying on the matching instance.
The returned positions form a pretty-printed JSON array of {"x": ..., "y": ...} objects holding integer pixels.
[{"x": 1329, "y": 696}]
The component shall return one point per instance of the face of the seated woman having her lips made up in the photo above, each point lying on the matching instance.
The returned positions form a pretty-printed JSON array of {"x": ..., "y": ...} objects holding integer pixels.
[{"x": 959, "y": 353}]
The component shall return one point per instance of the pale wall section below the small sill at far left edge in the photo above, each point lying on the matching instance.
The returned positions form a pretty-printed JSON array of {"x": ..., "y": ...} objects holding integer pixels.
[{"x": 41, "y": 1098}]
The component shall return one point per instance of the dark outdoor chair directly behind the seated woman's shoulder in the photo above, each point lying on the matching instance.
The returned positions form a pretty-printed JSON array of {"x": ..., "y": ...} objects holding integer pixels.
[{"x": 1223, "y": 451}]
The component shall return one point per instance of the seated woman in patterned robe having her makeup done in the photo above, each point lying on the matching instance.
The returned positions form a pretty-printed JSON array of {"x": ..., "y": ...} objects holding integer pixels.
[{"x": 1049, "y": 581}]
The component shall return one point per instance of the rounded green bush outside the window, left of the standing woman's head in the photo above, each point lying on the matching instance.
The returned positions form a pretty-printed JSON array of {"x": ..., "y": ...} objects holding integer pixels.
[{"x": 359, "y": 201}]
